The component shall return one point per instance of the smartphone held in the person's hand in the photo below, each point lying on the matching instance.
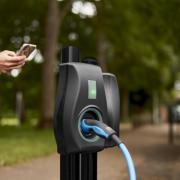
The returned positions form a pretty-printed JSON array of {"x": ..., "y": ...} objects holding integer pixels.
[{"x": 26, "y": 49}]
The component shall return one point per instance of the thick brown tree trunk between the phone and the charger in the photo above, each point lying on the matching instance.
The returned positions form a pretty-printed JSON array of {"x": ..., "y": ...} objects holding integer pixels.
[{"x": 48, "y": 75}]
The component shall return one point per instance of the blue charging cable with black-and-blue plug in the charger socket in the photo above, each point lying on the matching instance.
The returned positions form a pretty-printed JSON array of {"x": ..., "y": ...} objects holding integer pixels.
[{"x": 106, "y": 132}]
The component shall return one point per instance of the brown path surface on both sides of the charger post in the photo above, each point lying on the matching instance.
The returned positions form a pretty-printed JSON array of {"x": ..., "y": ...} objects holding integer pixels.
[{"x": 154, "y": 159}]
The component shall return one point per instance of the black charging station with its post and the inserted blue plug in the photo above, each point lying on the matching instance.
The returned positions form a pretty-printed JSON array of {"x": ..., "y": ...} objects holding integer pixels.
[{"x": 87, "y": 109}]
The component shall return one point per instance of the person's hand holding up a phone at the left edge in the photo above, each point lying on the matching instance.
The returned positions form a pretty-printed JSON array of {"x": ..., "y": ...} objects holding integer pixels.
[{"x": 9, "y": 60}]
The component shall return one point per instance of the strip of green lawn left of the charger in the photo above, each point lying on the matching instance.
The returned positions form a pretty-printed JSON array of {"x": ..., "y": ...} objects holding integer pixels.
[{"x": 18, "y": 144}]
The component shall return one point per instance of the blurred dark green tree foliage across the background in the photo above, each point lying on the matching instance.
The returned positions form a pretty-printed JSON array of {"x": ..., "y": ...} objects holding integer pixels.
[{"x": 142, "y": 39}]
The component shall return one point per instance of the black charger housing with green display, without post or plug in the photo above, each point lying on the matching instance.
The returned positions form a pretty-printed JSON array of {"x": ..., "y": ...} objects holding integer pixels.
[{"x": 84, "y": 92}]
